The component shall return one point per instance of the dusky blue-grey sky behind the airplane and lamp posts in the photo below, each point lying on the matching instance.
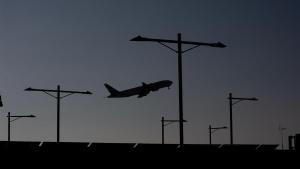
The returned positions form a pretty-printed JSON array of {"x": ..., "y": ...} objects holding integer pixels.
[{"x": 82, "y": 44}]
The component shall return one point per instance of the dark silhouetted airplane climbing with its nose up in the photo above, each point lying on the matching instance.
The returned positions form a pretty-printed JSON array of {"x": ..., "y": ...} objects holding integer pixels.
[{"x": 141, "y": 91}]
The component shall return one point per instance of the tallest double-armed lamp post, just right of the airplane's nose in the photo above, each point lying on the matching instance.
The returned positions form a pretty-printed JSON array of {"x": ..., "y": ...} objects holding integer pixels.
[{"x": 179, "y": 51}]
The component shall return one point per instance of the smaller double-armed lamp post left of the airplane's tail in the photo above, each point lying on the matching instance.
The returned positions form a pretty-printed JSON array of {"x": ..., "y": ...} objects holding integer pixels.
[{"x": 58, "y": 97}]
